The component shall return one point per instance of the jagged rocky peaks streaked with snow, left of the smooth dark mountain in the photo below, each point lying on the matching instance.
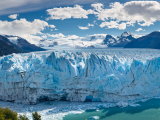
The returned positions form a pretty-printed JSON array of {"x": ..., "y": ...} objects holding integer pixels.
[{"x": 119, "y": 41}]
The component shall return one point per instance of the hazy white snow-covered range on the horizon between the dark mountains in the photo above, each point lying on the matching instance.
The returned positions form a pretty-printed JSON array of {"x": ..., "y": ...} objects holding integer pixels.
[{"x": 74, "y": 40}]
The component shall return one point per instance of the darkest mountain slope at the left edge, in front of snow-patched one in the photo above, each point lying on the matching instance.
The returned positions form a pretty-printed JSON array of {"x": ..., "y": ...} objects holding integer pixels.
[{"x": 6, "y": 48}]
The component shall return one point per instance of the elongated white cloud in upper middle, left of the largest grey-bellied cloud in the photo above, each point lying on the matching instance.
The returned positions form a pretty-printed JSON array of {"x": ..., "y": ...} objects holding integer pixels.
[{"x": 68, "y": 12}]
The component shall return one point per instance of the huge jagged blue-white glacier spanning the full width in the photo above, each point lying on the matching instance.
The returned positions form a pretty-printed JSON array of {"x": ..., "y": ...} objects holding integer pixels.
[{"x": 98, "y": 75}]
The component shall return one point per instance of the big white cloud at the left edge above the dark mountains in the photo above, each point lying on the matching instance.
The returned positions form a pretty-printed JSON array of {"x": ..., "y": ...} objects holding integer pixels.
[{"x": 31, "y": 31}]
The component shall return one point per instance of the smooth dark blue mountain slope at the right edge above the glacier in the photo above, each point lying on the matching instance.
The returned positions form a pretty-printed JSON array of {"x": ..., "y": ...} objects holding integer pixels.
[{"x": 151, "y": 40}]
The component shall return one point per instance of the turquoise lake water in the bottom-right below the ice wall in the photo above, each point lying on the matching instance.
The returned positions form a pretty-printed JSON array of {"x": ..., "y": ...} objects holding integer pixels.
[{"x": 149, "y": 110}]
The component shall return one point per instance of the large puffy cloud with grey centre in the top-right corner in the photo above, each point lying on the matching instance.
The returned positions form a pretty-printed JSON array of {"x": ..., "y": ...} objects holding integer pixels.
[{"x": 145, "y": 13}]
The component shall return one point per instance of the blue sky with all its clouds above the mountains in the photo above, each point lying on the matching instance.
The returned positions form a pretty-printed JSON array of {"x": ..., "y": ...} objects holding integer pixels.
[{"x": 51, "y": 19}]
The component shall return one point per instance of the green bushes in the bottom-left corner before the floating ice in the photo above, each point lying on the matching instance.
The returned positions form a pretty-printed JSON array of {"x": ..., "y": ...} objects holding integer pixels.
[{"x": 7, "y": 114}]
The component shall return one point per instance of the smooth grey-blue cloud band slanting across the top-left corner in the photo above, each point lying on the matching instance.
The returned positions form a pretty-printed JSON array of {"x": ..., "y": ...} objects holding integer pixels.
[{"x": 19, "y": 6}]
